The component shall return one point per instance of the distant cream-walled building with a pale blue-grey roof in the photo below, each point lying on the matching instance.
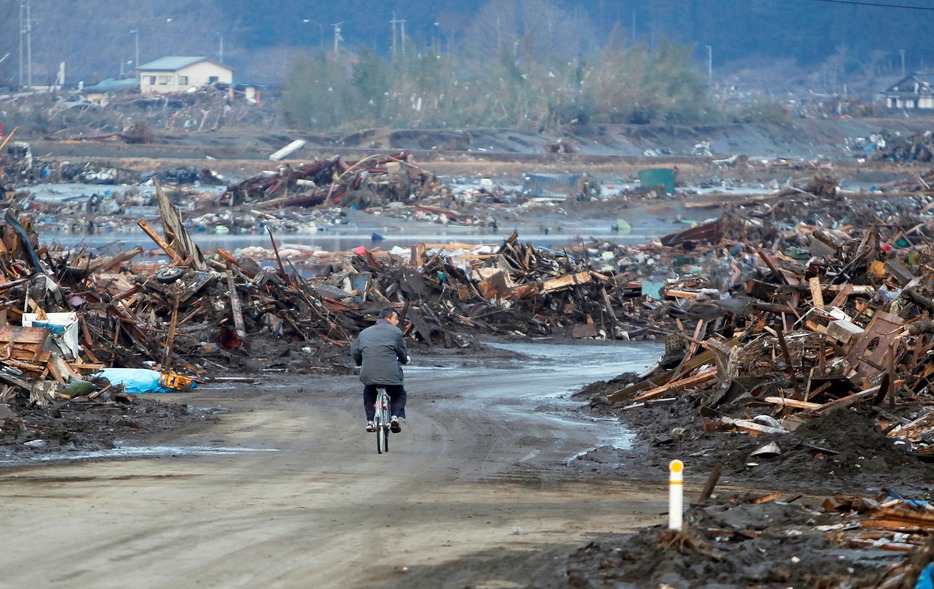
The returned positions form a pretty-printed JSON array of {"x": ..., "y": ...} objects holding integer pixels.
[{"x": 179, "y": 73}]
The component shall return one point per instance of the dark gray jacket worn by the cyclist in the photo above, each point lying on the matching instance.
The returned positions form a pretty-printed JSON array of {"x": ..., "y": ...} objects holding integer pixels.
[{"x": 380, "y": 351}]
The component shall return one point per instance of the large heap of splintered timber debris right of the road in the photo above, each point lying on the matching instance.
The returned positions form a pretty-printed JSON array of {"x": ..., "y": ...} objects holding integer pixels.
[{"x": 794, "y": 335}]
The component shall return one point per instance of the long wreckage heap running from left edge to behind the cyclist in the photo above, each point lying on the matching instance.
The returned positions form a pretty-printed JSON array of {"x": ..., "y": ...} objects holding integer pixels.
[{"x": 198, "y": 314}]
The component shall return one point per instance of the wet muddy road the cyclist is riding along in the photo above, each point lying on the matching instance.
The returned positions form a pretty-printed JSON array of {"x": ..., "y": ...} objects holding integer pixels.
[{"x": 287, "y": 490}]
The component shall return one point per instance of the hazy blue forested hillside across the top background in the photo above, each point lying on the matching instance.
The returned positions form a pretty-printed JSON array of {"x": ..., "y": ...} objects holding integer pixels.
[{"x": 97, "y": 39}]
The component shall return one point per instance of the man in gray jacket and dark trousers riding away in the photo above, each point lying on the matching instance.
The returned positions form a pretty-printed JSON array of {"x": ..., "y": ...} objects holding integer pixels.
[{"x": 380, "y": 351}]
